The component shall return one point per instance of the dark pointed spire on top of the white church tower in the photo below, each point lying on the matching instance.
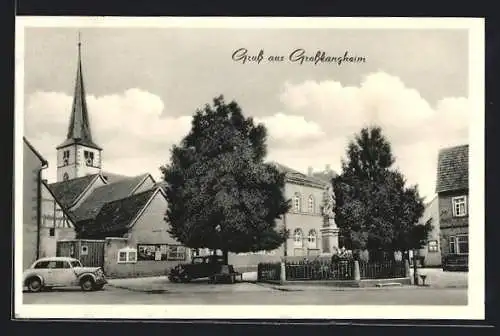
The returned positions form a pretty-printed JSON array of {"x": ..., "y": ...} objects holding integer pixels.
[{"x": 79, "y": 125}]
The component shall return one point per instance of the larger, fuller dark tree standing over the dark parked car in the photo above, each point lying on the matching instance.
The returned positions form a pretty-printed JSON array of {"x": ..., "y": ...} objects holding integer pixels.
[{"x": 220, "y": 192}]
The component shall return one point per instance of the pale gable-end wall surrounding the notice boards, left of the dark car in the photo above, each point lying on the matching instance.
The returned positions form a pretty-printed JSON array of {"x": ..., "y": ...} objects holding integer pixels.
[{"x": 150, "y": 228}]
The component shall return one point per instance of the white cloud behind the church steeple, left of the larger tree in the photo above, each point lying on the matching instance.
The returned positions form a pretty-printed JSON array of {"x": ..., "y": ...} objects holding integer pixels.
[{"x": 129, "y": 126}]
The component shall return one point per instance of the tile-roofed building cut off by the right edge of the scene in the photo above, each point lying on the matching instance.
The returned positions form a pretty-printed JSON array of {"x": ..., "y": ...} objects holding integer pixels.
[{"x": 453, "y": 194}]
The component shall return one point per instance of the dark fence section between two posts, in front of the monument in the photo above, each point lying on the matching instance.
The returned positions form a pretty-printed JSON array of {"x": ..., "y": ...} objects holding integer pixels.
[{"x": 319, "y": 270}]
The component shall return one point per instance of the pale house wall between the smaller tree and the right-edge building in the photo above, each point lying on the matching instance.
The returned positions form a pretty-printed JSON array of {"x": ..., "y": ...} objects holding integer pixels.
[{"x": 432, "y": 258}]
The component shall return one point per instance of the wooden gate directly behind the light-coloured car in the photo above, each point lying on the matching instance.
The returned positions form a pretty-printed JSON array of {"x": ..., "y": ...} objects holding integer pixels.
[{"x": 89, "y": 252}]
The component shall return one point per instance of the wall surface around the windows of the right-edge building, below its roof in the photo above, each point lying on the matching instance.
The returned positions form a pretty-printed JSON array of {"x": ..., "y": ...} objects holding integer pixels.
[{"x": 450, "y": 225}]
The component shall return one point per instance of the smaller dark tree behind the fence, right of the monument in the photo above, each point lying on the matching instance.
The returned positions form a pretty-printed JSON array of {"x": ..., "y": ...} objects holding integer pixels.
[{"x": 375, "y": 210}]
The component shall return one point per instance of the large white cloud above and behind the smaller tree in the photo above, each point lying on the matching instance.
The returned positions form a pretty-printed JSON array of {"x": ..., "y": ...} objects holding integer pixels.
[{"x": 416, "y": 129}]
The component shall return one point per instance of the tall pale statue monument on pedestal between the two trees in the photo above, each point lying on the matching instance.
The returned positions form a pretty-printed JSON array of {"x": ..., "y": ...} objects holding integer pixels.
[{"x": 329, "y": 231}]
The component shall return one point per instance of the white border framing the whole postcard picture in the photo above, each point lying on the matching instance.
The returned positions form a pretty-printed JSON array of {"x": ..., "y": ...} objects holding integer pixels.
[{"x": 475, "y": 307}]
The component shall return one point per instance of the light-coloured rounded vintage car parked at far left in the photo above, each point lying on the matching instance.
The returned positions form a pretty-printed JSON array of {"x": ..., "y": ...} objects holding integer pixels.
[{"x": 62, "y": 272}]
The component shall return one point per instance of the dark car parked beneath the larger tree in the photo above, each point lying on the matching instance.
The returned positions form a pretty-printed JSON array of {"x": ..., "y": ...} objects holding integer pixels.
[{"x": 200, "y": 267}]
